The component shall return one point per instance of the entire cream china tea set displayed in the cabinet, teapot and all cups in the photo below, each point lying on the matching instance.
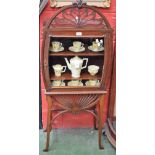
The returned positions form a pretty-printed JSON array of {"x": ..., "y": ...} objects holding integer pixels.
[{"x": 76, "y": 64}]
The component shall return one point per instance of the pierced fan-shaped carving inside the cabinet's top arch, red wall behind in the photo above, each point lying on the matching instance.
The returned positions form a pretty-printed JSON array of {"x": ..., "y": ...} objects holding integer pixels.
[{"x": 78, "y": 17}]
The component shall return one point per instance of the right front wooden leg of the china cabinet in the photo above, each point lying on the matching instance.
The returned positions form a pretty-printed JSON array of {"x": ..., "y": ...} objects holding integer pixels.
[{"x": 100, "y": 122}]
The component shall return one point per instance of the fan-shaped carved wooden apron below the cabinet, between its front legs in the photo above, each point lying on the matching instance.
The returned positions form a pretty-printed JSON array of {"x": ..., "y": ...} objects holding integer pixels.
[{"x": 75, "y": 103}]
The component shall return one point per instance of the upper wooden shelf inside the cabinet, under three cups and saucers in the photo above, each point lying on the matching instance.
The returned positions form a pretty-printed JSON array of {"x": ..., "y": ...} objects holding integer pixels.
[{"x": 69, "y": 53}]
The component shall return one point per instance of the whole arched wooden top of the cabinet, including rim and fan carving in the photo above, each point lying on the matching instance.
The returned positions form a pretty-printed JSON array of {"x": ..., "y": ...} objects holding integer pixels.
[{"x": 74, "y": 17}]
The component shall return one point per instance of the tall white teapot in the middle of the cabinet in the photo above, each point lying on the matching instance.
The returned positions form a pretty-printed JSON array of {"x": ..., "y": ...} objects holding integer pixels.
[{"x": 75, "y": 65}]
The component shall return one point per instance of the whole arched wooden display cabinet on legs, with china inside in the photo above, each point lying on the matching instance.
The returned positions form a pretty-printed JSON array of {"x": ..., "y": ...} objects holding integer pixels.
[{"x": 76, "y": 63}]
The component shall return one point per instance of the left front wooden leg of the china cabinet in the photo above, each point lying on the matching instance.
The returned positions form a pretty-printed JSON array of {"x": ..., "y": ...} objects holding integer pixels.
[{"x": 49, "y": 114}]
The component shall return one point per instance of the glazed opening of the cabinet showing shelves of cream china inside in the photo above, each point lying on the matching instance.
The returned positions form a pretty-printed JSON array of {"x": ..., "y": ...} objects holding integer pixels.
[{"x": 76, "y": 62}]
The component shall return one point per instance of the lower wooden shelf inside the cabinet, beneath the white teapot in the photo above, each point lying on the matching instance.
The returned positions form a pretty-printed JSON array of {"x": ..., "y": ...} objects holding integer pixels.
[{"x": 67, "y": 76}]
